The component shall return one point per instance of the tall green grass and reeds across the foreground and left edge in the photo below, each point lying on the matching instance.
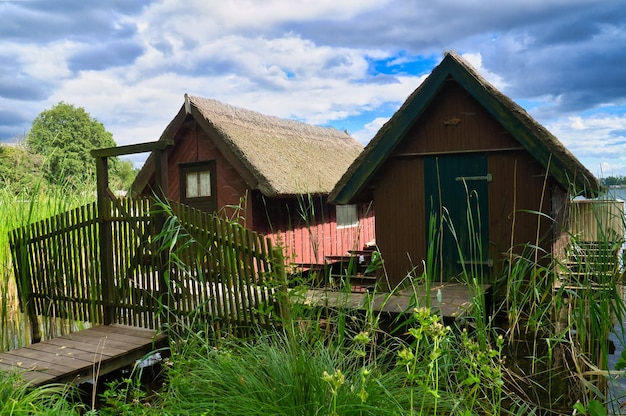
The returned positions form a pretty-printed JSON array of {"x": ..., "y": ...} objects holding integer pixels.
[{"x": 337, "y": 360}]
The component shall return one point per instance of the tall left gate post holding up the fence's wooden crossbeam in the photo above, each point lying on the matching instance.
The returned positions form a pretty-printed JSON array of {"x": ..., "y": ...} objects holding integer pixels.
[{"x": 106, "y": 239}]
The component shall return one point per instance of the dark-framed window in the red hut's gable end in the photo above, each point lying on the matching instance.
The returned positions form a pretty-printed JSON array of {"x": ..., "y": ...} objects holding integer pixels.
[{"x": 198, "y": 185}]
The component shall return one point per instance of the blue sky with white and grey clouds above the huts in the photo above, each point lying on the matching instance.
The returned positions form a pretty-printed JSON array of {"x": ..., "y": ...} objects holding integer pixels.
[{"x": 349, "y": 64}]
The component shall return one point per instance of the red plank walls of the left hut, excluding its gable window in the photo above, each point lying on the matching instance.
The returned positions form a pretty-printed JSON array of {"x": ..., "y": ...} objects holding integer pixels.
[{"x": 279, "y": 218}]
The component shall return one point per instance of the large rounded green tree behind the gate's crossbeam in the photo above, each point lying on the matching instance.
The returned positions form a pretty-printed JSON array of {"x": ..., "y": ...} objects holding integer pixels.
[{"x": 64, "y": 135}]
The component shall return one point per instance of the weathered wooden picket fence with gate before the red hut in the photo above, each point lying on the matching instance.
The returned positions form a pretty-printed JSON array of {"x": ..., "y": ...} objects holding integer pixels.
[{"x": 146, "y": 264}]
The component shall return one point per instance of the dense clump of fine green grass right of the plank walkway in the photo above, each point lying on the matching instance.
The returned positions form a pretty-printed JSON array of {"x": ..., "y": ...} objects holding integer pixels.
[{"x": 274, "y": 375}]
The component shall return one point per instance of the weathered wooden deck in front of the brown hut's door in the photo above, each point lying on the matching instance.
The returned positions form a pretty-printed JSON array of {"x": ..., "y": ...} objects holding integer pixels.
[{"x": 456, "y": 299}]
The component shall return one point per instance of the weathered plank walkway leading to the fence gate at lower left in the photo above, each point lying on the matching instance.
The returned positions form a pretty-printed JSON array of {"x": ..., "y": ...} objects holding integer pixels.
[{"x": 76, "y": 357}]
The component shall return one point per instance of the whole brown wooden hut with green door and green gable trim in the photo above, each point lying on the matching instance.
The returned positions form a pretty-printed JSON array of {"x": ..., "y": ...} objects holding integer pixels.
[{"x": 458, "y": 146}]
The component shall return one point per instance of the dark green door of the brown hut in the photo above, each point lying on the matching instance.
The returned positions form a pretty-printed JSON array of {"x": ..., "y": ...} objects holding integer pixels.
[{"x": 457, "y": 205}]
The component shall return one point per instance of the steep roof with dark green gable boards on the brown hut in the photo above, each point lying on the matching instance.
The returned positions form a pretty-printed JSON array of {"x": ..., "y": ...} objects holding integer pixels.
[{"x": 536, "y": 139}]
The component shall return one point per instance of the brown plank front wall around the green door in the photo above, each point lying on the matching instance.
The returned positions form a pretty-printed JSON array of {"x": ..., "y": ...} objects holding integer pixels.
[{"x": 455, "y": 123}]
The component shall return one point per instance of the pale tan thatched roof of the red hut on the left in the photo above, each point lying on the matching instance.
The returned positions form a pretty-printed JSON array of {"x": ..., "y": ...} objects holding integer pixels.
[{"x": 278, "y": 157}]
